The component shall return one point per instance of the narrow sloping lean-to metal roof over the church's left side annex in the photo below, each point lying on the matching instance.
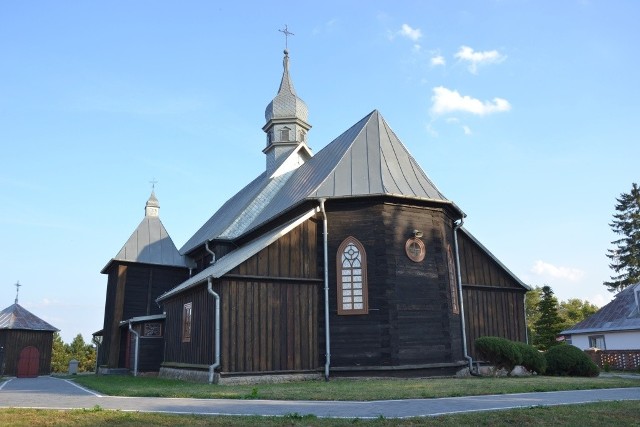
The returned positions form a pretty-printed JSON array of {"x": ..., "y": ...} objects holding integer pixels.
[{"x": 236, "y": 257}]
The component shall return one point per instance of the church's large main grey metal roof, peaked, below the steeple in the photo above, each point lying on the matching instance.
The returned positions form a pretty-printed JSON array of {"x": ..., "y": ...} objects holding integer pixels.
[{"x": 366, "y": 160}]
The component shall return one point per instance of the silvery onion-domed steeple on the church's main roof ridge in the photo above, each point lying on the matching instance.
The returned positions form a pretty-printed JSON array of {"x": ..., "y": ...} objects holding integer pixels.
[{"x": 286, "y": 118}]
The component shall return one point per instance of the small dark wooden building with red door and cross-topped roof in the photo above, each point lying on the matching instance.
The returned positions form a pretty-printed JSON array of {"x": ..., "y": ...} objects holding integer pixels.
[{"x": 26, "y": 342}]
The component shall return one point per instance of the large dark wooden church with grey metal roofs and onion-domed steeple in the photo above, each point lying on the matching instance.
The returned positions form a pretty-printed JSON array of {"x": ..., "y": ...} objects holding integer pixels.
[{"x": 346, "y": 262}]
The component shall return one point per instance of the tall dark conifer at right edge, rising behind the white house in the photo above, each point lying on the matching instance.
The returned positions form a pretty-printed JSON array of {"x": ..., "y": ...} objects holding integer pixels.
[{"x": 625, "y": 258}]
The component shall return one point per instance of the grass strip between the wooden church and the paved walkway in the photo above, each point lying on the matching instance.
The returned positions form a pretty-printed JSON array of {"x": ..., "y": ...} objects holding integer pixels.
[{"x": 346, "y": 389}]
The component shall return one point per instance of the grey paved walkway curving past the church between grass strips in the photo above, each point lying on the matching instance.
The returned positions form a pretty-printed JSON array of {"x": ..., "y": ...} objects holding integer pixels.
[{"x": 55, "y": 393}]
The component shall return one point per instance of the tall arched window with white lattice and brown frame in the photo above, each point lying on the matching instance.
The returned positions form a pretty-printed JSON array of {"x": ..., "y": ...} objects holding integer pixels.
[{"x": 352, "y": 278}]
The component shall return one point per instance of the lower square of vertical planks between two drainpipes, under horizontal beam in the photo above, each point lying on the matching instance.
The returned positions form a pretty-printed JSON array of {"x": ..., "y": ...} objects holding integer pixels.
[{"x": 269, "y": 326}]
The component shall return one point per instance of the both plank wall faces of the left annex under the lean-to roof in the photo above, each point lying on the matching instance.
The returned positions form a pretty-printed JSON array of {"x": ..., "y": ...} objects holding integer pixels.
[{"x": 269, "y": 311}]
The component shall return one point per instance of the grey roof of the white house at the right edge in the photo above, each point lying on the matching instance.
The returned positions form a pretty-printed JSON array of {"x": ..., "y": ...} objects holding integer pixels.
[{"x": 621, "y": 314}]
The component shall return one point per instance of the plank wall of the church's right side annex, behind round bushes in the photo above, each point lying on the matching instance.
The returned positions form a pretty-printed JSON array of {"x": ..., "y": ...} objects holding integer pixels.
[{"x": 493, "y": 300}]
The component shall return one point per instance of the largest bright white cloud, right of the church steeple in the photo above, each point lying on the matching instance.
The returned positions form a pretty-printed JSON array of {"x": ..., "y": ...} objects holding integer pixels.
[{"x": 448, "y": 101}]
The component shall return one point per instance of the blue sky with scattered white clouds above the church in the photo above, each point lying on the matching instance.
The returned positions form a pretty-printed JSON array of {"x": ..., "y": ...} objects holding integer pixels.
[{"x": 522, "y": 112}]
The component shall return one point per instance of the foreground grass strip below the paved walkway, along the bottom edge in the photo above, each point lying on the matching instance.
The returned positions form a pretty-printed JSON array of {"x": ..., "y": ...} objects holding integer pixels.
[{"x": 593, "y": 414}]
